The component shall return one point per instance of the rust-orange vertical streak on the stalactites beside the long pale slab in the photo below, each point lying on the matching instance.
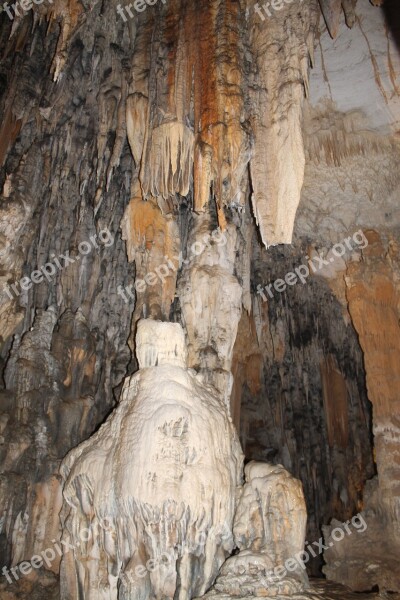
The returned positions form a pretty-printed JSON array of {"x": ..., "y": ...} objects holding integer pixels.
[{"x": 218, "y": 104}]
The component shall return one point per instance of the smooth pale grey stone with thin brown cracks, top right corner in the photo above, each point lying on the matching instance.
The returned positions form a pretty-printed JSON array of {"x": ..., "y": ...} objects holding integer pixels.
[{"x": 358, "y": 71}]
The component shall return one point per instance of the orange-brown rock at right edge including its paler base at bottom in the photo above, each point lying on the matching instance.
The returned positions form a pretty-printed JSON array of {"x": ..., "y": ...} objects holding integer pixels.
[{"x": 374, "y": 300}]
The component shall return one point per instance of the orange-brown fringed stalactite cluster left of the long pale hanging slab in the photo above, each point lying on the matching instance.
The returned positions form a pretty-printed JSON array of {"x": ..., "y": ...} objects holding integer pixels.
[{"x": 194, "y": 122}]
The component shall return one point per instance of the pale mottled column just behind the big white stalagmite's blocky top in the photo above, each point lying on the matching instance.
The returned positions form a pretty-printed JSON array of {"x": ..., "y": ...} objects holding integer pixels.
[{"x": 211, "y": 299}]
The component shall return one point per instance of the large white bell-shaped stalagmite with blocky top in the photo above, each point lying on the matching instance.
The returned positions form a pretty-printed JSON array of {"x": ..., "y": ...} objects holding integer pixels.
[{"x": 155, "y": 486}]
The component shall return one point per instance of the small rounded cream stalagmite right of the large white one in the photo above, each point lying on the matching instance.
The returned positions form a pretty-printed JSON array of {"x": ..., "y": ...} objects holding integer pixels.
[{"x": 269, "y": 530}]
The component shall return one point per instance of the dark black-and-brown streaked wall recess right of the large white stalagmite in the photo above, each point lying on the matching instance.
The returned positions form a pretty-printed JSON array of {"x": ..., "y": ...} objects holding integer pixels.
[{"x": 304, "y": 402}]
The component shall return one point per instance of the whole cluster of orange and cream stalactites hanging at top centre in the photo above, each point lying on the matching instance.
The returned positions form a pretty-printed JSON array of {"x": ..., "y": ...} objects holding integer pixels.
[{"x": 223, "y": 61}]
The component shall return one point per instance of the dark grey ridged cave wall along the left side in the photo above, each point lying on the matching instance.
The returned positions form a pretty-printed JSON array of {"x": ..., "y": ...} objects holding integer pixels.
[{"x": 63, "y": 344}]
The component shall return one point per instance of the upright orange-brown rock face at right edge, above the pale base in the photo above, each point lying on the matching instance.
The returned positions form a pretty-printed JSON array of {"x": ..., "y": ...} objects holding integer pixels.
[{"x": 374, "y": 300}]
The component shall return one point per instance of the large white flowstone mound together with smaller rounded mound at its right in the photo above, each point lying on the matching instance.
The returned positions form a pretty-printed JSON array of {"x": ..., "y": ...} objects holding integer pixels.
[{"x": 153, "y": 501}]
